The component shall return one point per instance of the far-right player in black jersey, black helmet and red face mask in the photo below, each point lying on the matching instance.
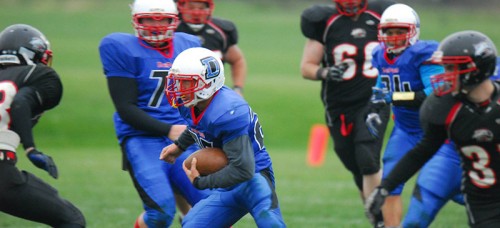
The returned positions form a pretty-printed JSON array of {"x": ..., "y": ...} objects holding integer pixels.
[{"x": 465, "y": 107}]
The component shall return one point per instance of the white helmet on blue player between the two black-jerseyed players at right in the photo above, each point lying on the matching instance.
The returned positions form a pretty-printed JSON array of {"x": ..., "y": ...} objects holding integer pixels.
[{"x": 399, "y": 16}]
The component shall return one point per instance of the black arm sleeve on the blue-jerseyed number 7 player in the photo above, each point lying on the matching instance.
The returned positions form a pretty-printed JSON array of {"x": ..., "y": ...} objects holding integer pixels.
[{"x": 124, "y": 94}]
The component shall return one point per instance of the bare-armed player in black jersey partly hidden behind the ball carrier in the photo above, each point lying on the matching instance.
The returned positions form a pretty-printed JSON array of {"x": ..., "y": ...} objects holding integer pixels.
[{"x": 217, "y": 34}]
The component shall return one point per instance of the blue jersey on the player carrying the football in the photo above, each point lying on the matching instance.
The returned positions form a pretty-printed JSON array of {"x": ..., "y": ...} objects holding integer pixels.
[{"x": 227, "y": 117}]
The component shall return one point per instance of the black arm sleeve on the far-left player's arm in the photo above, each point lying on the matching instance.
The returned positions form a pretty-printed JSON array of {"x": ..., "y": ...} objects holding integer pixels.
[{"x": 21, "y": 111}]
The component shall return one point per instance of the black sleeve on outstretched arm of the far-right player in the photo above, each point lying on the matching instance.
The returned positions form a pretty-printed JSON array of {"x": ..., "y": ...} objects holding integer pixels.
[{"x": 434, "y": 137}]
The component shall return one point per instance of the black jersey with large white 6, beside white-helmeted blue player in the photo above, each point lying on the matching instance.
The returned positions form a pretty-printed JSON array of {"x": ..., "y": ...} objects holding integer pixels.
[{"x": 346, "y": 41}]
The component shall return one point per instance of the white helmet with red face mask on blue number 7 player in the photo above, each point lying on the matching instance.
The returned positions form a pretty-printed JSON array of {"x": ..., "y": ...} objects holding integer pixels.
[{"x": 157, "y": 35}]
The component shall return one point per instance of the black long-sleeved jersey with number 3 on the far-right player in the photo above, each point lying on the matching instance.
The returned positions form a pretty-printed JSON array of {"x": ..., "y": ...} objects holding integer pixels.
[{"x": 476, "y": 132}]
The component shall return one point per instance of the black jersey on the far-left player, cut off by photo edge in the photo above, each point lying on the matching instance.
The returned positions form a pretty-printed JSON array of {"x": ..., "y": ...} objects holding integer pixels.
[{"x": 27, "y": 91}]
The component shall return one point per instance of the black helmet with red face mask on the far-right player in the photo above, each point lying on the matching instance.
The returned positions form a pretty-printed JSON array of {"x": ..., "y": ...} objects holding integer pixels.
[{"x": 469, "y": 58}]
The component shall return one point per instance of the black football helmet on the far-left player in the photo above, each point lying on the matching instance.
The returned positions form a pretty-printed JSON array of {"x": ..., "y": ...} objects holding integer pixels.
[{"x": 24, "y": 44}]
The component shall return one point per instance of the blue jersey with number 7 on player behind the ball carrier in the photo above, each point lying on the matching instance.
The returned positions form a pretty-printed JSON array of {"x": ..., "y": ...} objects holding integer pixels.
[{"x": 123, "y": 56}]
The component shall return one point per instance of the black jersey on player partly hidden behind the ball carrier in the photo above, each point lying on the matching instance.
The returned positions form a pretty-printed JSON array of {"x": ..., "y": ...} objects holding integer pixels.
[{"x": 217, "y": 34}]
